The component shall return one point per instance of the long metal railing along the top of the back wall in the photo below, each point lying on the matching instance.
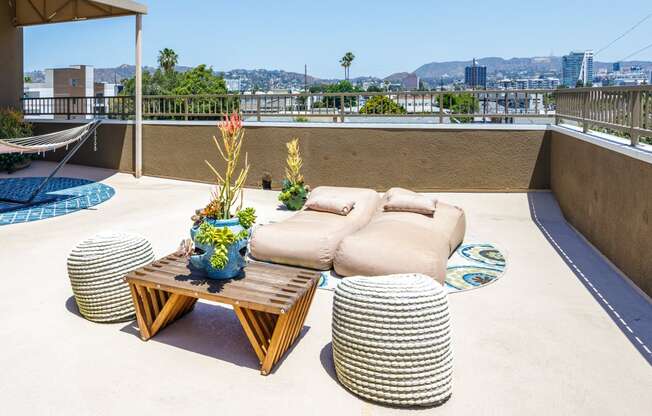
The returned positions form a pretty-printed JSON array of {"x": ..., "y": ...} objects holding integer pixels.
[{"x": 458, "y": 106}]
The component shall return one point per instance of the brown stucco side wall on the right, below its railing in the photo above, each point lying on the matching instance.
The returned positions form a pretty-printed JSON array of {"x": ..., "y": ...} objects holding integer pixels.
[{"x": 607, "y": 196}]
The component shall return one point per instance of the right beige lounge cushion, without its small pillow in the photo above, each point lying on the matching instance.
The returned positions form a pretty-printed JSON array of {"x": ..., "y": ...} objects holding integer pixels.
[{"x": 403, "y": 242}]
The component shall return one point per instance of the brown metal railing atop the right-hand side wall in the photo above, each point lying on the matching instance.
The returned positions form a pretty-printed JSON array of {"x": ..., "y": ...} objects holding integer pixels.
[{"x": 624, "y": 111}]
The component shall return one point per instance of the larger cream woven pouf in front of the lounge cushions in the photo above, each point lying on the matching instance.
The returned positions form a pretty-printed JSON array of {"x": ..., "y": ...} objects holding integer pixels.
[{"x": 391, "y": 339}]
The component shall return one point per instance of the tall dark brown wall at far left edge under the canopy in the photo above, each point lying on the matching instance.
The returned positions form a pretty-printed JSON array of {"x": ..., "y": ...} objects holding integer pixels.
[{"x": 11, "y": 59}]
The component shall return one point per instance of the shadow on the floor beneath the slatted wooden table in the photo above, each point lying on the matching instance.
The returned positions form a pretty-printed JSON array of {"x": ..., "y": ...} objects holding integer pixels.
[{"x": 214, "y": 331}]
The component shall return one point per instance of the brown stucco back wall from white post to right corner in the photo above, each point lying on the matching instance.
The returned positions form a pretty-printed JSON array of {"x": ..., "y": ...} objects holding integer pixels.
[{"x": 379, "y": 158}]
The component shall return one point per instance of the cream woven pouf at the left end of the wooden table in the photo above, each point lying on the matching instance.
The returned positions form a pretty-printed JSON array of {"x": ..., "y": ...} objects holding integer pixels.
[{"x": 96, "y": 268}]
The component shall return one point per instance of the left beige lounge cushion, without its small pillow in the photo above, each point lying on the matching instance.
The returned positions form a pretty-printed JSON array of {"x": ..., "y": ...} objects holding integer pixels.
[{"x": 309, "y": 238}]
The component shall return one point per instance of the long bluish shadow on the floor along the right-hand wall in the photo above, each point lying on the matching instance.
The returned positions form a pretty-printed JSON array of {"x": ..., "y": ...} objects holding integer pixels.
[{"x": 630, "y": 310}]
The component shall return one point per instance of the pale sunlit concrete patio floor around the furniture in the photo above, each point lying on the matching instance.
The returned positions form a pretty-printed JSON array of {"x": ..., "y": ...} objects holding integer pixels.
[{"x": 536, "y": 342}]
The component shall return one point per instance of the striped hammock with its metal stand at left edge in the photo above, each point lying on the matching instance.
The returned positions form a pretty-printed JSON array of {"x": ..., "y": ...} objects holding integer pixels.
[{"x": 44, "y": 143}]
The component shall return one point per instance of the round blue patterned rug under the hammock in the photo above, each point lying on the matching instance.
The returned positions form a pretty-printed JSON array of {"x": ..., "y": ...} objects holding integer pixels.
[{"x": 61, "y": 196}]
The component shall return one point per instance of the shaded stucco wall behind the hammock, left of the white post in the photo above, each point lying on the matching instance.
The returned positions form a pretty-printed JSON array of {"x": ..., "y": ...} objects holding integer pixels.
[{"x": 114, "y": 146}]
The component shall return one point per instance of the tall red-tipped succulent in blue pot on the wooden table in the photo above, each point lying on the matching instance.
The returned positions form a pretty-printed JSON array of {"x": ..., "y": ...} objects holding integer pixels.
[{"x": 221, "y": 230}]
